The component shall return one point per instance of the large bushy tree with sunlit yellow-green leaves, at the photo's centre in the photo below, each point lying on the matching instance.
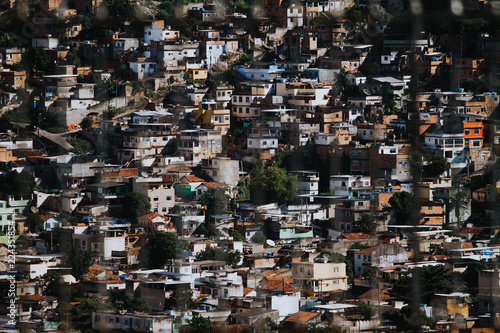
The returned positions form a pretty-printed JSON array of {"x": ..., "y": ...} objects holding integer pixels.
[{"x": 274, "y": 184}]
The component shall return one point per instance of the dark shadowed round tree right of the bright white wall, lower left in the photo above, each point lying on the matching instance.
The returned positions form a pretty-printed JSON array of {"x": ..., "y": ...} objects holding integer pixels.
[{"x": 160, "y": 247}]
